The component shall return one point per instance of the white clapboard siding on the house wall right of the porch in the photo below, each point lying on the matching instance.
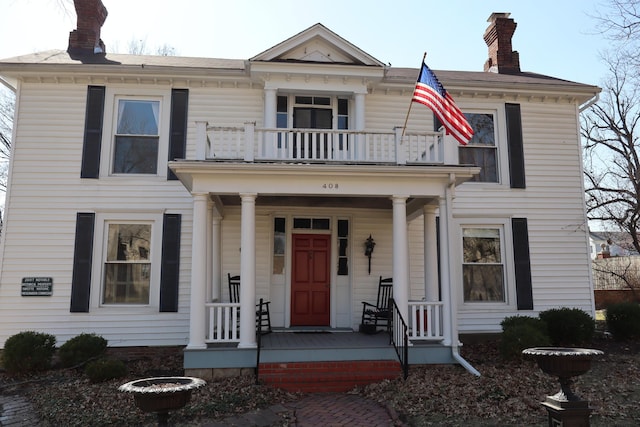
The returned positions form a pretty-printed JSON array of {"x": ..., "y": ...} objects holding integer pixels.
[{"x": 554, "y": 207}]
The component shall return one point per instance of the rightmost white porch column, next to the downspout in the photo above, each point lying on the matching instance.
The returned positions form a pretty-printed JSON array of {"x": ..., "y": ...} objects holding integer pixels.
[{"x": 448, "y": 301}]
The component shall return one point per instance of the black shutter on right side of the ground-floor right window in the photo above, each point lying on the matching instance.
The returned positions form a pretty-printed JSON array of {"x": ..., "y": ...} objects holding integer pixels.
[{"x": 524, "y": 291}]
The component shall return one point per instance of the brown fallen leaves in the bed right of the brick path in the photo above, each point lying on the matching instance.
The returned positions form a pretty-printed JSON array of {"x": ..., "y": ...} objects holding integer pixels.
[{"x": 509, "y": 393}]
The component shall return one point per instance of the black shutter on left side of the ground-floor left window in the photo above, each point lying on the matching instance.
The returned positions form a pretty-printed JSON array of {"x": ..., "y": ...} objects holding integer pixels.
[{"x": 82, "y": 256}]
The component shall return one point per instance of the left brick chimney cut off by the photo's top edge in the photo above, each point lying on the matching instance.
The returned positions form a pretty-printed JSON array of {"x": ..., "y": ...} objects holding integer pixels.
[{"x": 85, "y": 39}]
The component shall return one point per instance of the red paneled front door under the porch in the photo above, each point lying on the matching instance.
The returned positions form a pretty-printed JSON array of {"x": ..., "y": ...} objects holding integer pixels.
[{"x": 310, "y": 284}]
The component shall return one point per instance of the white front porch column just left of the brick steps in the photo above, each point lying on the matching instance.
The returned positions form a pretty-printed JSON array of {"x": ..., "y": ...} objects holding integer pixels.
[{"x": 248, "y": 271}]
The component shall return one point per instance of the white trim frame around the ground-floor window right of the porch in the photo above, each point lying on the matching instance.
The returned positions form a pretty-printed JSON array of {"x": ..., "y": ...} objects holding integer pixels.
[{"x": 506, "y": 247}]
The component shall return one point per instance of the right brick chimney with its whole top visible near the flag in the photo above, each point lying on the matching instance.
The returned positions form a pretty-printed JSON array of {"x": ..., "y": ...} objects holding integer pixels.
[{"x": 502, "y": 59}]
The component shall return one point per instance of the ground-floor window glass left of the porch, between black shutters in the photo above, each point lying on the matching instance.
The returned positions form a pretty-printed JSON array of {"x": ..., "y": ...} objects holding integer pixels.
[{"x": 127, "y": 264}]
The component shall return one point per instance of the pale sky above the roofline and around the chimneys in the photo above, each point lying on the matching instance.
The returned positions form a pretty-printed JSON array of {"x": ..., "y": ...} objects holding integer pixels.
[{"x": 553, "y": 37}]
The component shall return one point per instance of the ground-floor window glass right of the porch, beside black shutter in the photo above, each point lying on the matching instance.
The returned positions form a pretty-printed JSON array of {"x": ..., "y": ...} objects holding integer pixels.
[{"x": 483, "y": 265}]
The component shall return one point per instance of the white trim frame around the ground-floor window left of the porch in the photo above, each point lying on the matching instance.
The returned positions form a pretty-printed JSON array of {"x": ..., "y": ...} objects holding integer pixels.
[{"x": 103, "y": 219}]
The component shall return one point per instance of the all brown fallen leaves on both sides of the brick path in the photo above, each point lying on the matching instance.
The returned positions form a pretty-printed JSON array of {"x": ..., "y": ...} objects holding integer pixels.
[{"x": 506, "y": 393}]
